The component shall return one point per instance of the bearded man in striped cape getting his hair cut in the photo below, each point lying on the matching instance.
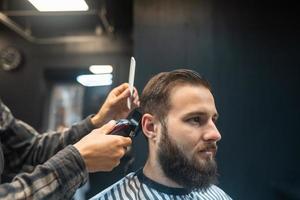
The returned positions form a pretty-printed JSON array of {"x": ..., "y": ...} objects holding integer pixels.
[{"x": 179, "y": 116}]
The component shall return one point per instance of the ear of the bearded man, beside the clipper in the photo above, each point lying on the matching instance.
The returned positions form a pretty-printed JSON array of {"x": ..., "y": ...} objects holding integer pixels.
[{"x": 149, "y": 126}]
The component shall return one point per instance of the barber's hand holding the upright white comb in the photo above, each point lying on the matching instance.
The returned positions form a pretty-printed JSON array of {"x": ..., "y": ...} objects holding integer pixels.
[{"x": 115, "y": 105}]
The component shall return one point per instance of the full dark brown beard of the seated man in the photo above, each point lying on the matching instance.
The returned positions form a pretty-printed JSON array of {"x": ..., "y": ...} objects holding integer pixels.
[{"x": 189, "y": 173}]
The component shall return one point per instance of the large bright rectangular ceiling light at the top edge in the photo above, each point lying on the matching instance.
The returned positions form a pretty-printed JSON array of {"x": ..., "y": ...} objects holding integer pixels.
[{"x": 59, "y": 5}]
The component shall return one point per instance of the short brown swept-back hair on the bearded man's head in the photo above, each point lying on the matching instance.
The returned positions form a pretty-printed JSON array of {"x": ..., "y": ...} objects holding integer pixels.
[{"x": 155, "y": 98}]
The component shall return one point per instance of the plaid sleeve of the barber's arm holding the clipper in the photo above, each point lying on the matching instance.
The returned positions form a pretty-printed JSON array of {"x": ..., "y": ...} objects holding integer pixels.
[{"x": 58, "y": 178}]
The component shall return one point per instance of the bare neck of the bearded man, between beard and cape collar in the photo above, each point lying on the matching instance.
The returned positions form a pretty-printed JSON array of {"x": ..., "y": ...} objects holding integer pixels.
[{"x": 153, "y": 171}]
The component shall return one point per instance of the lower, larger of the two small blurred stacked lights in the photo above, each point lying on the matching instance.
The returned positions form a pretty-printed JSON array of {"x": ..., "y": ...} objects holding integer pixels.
[{"x": 91, "y": 80}]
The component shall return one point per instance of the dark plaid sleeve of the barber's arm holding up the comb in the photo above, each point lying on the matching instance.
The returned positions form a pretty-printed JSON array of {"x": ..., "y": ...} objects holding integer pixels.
[{"x": 24, "y": 148}]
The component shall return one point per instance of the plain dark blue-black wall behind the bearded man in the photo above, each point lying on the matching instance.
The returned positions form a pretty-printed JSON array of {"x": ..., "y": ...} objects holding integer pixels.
[{"x": 248, "y": 50}]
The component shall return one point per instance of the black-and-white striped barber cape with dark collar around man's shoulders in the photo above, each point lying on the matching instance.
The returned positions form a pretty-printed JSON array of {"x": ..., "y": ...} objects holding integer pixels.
[{"x": 136, "y": 186}]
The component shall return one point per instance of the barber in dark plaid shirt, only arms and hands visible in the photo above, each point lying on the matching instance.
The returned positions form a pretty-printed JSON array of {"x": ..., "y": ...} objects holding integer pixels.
[{"x": 57, "y": 168}]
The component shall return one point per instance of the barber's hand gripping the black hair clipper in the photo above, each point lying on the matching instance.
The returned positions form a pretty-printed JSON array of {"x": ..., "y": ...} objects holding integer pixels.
[{"x": 102, "y": 152}]
